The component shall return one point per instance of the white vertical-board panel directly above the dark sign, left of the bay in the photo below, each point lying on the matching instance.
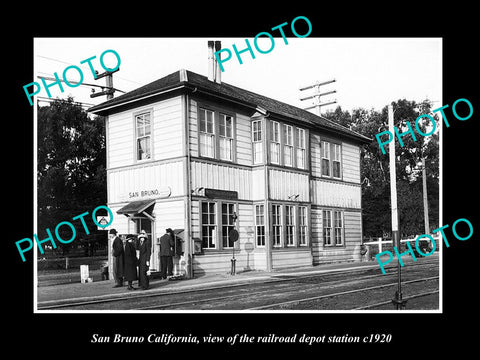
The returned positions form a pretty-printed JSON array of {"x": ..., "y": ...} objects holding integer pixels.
[{"x": 222, "y": 177}]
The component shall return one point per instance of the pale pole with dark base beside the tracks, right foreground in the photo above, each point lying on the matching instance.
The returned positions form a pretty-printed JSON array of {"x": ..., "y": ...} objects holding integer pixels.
[{"x": 398, "y": 302}]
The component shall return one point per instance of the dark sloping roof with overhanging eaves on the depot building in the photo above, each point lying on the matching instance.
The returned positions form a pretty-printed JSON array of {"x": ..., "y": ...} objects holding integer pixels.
[{"x": 188, "y": 79}]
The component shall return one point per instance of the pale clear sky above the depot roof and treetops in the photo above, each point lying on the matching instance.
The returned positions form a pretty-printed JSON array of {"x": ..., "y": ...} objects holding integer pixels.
[{"x": 369, "y": 72}]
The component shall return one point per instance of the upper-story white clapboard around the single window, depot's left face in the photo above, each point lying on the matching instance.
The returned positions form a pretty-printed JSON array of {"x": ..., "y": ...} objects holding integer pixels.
[{"x": 166, "y": 133}]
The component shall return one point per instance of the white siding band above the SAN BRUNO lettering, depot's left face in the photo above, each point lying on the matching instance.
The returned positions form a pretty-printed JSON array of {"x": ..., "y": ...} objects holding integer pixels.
[{"x": 145, "y": 177}]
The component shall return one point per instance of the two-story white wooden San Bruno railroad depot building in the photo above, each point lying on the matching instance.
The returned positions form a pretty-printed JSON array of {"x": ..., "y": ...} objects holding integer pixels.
[{"x": 193, "y": 153}]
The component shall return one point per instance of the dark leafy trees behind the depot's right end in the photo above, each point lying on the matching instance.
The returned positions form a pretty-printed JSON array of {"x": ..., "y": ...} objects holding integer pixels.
[{"x": 374, "y": 167}]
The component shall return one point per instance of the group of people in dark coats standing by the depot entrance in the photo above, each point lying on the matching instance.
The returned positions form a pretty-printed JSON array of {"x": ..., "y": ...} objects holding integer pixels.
[{"x": 125, "y": 260}]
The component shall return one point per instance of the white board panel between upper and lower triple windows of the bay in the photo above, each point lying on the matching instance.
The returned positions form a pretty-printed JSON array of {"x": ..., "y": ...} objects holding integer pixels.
[{"x": 286, "y": 183}]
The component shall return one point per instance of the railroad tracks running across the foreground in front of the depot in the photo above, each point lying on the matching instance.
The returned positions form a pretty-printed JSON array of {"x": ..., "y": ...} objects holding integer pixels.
[{"x": 284, "y": 284}]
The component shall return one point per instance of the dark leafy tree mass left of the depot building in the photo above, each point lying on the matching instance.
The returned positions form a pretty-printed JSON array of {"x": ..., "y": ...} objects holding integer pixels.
[{"x": 71, "y": 173}]
